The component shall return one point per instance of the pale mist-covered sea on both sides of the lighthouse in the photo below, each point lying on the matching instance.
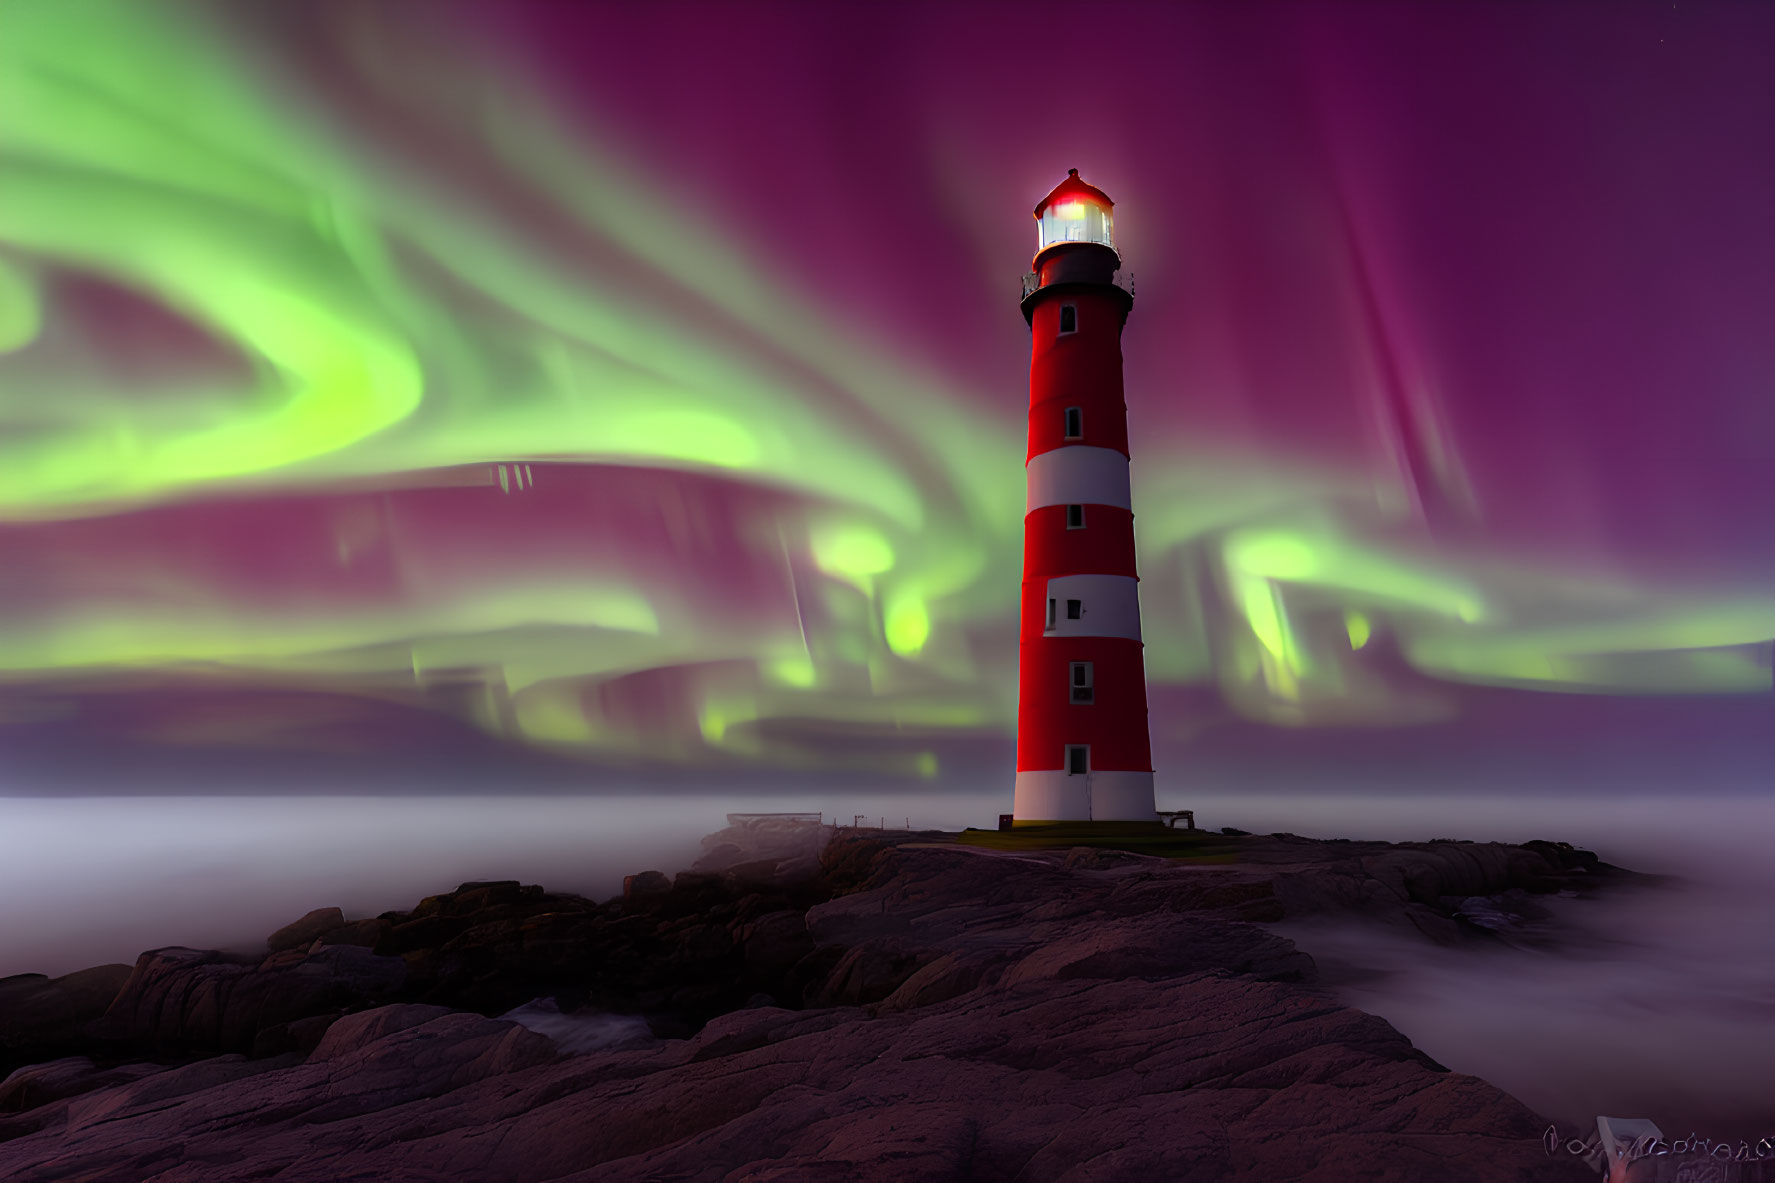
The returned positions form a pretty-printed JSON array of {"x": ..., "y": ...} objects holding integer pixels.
[{"x": 1662, "y": 1004}]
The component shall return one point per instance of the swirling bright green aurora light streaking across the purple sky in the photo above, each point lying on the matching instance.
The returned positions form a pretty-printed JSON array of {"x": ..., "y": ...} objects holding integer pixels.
[{"x": 393, "y": 329}]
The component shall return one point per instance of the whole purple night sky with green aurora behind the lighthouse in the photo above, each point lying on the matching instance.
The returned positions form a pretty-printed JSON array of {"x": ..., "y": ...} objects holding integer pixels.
[{"x": 645, "y": 385}]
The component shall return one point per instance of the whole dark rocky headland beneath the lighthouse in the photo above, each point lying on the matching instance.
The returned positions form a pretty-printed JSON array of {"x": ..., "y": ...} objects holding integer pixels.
[{"x": 807, "y": 1004}]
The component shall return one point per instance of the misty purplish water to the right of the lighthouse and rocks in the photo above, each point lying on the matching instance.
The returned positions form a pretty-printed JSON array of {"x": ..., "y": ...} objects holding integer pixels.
[{"x": 1659, "y": 1003}]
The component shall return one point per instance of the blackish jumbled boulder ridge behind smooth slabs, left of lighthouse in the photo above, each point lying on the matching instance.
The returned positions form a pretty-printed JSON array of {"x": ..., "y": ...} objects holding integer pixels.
[{"x": 690, "y": 949}]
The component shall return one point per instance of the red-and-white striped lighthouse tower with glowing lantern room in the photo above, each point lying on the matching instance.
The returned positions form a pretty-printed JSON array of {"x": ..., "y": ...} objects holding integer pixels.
[{"x": 1082, "y": 715}]
